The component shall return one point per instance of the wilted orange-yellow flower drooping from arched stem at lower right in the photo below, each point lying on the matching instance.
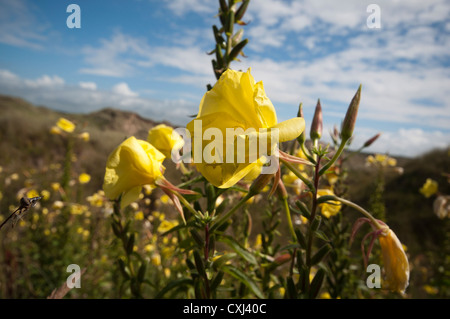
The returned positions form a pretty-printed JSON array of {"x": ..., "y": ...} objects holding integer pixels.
[{"x": 395, "y": 262}]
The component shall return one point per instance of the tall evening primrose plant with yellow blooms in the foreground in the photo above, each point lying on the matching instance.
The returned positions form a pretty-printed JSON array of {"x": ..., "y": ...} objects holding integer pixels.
[{"x": 233, "y": 151}]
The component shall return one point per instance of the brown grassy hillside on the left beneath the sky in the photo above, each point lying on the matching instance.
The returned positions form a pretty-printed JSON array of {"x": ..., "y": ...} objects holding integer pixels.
[{"x": 26, "y": 142}]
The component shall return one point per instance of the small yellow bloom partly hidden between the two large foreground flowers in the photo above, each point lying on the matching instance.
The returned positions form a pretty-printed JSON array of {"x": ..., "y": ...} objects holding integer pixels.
[{"x": 164, "y": 139}]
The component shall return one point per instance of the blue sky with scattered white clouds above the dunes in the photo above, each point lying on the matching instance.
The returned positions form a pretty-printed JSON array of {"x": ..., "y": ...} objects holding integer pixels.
[{"x": 149, "y": 56}]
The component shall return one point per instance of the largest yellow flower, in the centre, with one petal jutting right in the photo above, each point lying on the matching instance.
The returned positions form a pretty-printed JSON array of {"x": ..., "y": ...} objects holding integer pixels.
[{"x": 238, "y": 104}]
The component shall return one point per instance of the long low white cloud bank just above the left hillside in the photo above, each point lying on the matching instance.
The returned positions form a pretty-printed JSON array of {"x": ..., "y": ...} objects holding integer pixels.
[{"x": 53, "y": 92}]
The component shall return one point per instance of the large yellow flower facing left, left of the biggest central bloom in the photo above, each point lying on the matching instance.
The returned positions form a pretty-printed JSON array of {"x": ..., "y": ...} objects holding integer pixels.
[{"x": 131, "y": 165}]
